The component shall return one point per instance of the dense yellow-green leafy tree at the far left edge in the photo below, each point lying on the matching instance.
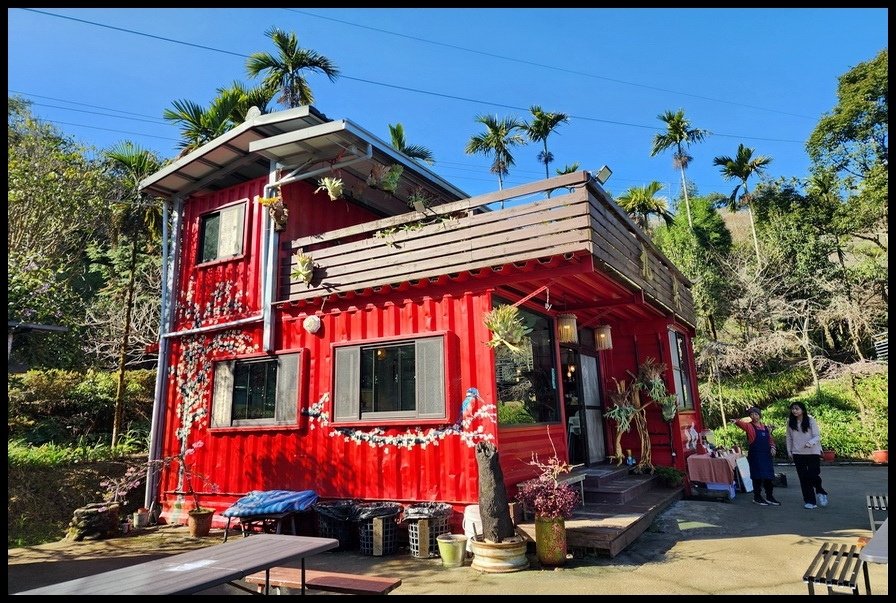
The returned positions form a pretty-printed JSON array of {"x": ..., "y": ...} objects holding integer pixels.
[{"x": 56, "y": 202}]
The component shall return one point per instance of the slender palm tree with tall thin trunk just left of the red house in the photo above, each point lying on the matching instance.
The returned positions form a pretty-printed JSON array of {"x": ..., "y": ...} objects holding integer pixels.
[{"x": 134, "y": 164}]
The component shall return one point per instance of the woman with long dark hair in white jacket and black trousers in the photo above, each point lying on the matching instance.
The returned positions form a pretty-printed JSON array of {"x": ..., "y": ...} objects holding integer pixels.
[{"x": 804, "y": 447}]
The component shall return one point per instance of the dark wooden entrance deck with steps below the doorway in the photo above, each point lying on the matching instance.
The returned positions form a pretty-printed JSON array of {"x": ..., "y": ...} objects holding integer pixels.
[{"x": 629, "y": 505}]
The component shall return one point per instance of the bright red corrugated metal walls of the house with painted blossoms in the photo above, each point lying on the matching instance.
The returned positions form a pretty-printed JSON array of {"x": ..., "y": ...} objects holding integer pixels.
[{"x": 307, "y": 455}]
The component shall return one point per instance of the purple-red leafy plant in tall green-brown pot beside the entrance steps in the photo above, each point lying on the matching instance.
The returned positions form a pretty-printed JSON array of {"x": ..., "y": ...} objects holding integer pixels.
[{"x": 552, "y": 501}]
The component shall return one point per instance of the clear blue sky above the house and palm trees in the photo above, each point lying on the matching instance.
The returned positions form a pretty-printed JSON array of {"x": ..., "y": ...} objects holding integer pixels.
[{"x": 762, "y": 77}]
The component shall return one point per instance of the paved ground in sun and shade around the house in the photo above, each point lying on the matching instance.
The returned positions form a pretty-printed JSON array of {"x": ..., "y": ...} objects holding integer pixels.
[{"x": 694, "y": 547}]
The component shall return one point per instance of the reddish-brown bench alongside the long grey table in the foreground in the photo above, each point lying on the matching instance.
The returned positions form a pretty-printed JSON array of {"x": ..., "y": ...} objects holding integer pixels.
[{"x": 335, "y": 582}]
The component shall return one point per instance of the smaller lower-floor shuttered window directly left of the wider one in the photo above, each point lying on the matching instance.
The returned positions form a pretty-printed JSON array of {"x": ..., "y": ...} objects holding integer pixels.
[{"x": 256, "y": 391}]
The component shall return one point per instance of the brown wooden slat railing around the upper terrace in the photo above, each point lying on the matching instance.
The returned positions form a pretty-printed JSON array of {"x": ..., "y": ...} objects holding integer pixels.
[{"x": 488, "y": 232}]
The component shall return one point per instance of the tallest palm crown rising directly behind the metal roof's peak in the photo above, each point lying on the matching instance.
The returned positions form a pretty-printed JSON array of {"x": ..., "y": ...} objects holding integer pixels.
[{"x": 284, "y": 71}]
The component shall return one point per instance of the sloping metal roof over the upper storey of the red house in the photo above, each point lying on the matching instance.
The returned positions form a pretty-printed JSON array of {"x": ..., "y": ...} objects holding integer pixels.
[{"x": 295, "y": 138}]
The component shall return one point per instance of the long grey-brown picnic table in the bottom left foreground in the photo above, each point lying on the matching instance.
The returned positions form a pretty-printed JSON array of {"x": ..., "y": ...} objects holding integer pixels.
[{"x": 196, "y": 570}]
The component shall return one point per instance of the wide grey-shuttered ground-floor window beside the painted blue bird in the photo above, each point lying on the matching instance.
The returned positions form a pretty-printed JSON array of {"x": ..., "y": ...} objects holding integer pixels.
[{"x": 390, "y": 380}]
